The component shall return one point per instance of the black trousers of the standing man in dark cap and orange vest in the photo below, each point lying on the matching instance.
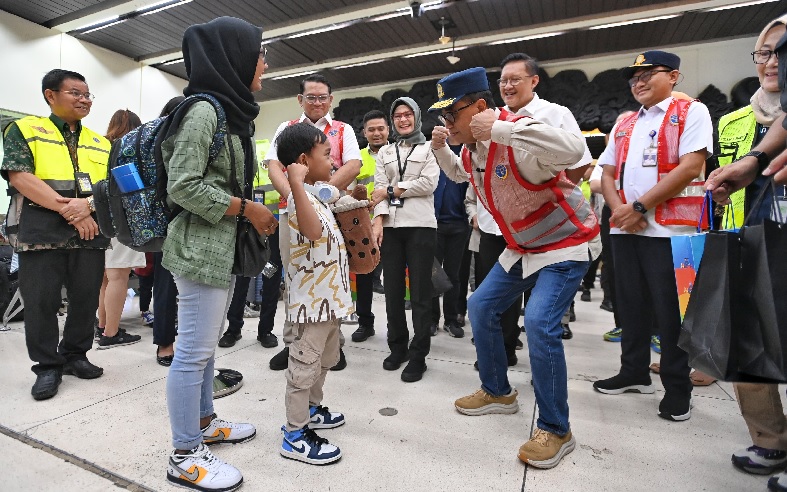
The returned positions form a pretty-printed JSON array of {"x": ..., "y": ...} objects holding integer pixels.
[{"x": 645, "y": 281}]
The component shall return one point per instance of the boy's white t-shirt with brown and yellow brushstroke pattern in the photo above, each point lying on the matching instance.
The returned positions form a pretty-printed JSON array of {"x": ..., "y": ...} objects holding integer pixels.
[{"x": 318, "y": 273}]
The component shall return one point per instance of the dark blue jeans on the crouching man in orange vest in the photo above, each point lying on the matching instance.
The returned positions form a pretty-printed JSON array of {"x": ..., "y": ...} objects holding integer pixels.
[{"x": 553, "y": 288}]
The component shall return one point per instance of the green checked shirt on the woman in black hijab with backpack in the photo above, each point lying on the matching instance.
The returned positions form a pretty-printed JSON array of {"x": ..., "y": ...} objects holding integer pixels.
[{"x": 200, "y": 243}]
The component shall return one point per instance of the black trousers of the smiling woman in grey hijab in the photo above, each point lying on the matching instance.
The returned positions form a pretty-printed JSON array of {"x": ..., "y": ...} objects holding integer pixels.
[{"x": 408, "y": 248}]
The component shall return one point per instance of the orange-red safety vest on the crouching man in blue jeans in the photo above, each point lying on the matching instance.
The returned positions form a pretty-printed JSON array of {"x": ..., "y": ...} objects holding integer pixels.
[{"x": 533, "y": 218}]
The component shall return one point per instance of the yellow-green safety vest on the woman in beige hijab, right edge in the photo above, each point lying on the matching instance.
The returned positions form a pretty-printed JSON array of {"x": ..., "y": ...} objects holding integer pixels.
[{"x": 737, "y": 131}]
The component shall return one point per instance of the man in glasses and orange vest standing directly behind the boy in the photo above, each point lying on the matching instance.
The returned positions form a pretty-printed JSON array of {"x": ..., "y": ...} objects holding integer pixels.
[{"x": 315, "y": 98}]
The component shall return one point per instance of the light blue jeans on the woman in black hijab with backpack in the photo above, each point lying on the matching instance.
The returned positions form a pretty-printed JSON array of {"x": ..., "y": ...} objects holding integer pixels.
[{"x": 201, "y": 310}]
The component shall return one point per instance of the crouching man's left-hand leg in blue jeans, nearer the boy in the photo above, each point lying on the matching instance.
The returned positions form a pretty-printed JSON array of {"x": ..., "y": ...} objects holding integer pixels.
[{"x": 485, "y": 308}]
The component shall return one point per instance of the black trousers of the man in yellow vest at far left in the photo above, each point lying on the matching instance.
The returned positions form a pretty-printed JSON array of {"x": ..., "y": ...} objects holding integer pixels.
[{"x": 41, "y": 277}]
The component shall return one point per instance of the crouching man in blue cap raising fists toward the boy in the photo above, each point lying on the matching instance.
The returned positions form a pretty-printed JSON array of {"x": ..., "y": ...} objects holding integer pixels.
[{"x": 516, "y": 165}]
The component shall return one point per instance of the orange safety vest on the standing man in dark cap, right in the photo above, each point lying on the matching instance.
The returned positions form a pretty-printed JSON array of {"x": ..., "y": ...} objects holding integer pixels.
[{"x": 684, "y": 208}]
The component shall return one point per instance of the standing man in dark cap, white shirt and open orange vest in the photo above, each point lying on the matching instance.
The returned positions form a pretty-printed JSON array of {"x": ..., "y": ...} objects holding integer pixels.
[{"x": 653, "y": 184}]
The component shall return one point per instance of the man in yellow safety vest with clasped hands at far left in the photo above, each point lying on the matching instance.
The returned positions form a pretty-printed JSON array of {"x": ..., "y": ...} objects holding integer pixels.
[{"x": 50, "y": 164}]
